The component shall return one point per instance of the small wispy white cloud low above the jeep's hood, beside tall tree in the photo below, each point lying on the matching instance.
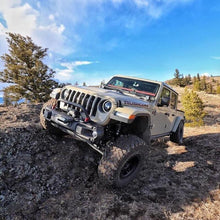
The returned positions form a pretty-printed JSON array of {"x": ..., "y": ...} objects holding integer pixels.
[{"x": 67, "y": 74}]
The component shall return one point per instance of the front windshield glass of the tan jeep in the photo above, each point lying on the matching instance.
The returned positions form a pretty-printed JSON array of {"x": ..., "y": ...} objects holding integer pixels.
[{"x": 134, "y": 85}]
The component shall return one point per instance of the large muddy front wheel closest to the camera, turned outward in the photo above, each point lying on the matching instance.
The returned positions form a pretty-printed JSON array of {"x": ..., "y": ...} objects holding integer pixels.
[{"x": 123, "y": 161}]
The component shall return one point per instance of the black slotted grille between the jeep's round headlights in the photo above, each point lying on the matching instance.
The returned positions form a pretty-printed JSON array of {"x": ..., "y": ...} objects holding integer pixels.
[{"x": 89, "y": 102}]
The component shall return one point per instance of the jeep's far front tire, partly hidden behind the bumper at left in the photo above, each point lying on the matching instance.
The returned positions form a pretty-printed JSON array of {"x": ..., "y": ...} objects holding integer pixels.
[{"x": 46, "y": 124}]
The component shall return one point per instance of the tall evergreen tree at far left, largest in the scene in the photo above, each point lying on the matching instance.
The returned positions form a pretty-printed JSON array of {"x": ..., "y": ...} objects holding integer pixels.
[{"x": 31, "y": 78}]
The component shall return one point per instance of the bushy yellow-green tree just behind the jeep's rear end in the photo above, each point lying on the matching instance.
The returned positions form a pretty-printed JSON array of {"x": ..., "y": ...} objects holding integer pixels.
[{"x": 193, "y": 107}]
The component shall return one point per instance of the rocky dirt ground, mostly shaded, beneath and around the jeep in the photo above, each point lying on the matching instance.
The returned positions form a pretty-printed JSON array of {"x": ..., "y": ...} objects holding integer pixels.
[{"x": 43, "y": 177}]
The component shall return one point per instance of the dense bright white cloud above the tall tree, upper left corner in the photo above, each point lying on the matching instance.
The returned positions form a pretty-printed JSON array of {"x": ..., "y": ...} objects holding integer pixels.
[{"x": 27, "y": 21}]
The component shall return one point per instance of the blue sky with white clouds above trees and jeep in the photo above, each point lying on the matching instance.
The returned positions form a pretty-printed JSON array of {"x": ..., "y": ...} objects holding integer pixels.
[{"x": 91, "y": 40}]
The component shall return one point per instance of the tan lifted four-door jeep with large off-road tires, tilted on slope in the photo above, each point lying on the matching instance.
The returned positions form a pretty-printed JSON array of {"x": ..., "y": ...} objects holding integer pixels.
[{"x": 118, "y": 120}]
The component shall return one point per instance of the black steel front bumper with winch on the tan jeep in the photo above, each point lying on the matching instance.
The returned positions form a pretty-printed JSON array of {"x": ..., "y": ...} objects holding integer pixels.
[{"x": 85, "y": 131}]
